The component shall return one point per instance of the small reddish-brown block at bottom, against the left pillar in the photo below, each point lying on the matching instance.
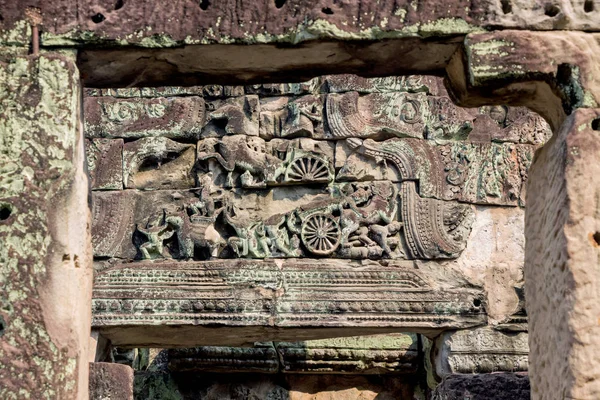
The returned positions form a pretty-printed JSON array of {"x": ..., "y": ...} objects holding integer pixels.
[{"x": 110, "y": 381}]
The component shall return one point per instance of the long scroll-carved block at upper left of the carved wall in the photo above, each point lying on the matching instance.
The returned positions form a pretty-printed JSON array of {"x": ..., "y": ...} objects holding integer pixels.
[{"x": 173, "y": 117}]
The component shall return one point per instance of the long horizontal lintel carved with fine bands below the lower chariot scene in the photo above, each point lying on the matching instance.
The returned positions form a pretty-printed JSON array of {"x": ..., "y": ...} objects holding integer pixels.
[{"x": 297, "y": 294}]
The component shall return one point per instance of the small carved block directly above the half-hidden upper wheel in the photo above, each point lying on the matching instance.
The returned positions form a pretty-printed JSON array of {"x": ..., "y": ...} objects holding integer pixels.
[{"x": 282, "y": 117}]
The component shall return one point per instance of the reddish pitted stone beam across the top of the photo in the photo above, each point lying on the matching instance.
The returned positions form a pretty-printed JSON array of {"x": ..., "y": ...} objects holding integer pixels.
[{"x": 159, "y": 24}]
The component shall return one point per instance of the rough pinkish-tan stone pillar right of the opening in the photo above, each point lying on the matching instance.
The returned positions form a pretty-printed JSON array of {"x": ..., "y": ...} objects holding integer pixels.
[{"x": 562, "y": 273}]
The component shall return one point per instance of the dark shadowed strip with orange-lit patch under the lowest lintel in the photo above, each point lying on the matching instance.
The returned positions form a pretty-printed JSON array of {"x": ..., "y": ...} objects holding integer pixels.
[{"x": 181, "y": 386}]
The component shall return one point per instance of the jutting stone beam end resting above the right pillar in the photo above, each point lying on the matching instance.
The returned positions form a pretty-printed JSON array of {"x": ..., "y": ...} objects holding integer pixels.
[{"x": 552, "y": 73}]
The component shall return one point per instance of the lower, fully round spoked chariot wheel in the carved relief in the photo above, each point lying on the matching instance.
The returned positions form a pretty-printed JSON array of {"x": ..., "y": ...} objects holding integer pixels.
[{"x": 321, "y": 234}]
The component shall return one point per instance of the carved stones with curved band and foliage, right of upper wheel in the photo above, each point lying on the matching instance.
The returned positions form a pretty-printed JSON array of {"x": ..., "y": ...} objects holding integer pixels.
[{"x": 480, "y": 173}]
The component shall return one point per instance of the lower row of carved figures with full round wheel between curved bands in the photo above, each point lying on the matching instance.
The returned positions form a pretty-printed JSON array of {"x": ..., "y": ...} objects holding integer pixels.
[{"x": 348, "y": 220}]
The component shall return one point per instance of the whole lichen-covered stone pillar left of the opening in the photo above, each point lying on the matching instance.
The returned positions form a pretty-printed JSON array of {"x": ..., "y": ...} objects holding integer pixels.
[{"x": 45, "y": 255}]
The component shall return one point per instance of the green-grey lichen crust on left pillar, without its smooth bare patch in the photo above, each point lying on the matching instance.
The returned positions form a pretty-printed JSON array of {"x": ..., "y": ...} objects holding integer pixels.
[{"x": 38, "y": 125}]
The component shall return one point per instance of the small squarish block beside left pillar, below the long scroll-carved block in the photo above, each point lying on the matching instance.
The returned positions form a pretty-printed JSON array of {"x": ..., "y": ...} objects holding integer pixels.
[{"x": 105, "y": 163}]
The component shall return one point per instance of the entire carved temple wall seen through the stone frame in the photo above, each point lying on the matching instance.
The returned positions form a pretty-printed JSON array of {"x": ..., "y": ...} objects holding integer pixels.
[{"x": 286, "y": 212}]
